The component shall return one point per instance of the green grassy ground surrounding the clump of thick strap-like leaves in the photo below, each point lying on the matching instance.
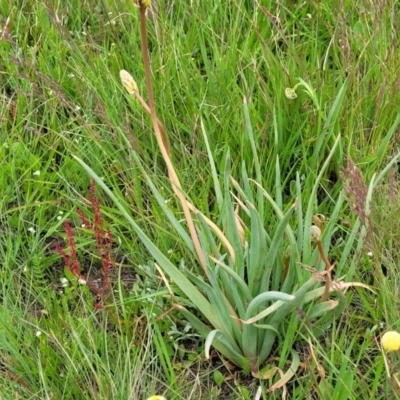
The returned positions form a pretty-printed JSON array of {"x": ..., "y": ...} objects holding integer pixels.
[{"x": 61, "y": 95}]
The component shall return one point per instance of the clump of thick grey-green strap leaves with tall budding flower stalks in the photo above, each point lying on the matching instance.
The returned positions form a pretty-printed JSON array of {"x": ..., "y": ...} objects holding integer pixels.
[{"x": 255, "y": 288}]
